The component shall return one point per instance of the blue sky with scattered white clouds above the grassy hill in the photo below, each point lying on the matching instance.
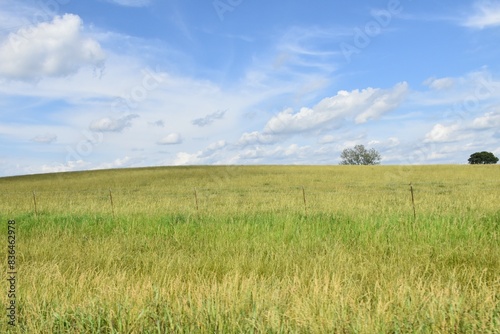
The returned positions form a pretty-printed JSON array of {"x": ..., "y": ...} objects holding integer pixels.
[{"x": 100, "y": 84}]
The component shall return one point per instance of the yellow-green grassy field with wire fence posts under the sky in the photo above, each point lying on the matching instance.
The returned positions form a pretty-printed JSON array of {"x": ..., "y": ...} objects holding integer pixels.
[{"x": 256, "y": 249}]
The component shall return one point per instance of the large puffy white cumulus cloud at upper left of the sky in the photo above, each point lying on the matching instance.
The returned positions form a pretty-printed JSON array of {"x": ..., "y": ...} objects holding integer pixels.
[{"x": 49, "y": 49}]
